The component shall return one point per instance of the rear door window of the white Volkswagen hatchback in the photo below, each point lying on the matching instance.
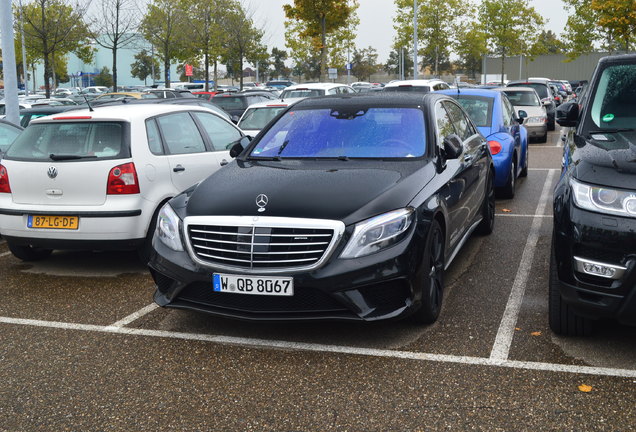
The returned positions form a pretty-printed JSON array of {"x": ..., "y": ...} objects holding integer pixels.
[{"x": 181, "y": 134}]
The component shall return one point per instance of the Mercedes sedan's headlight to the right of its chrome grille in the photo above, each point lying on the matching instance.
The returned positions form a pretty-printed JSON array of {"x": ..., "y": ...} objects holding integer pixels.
[{"x": 378, "y": 233}]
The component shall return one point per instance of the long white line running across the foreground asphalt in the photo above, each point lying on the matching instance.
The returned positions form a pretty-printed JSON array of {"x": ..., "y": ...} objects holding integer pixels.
[{"x": 338, "y": 349}]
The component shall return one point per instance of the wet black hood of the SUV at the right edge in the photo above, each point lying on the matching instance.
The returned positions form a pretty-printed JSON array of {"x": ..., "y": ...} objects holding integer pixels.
[{"x": 608, "y": 163}]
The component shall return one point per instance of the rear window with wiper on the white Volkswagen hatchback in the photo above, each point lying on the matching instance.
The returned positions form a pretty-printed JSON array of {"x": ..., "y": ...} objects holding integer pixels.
[{"x": 71, "y": 141}]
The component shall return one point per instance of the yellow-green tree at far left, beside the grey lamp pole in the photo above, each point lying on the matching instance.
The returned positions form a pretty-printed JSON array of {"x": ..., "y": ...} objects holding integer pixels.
[{"x": 53, "y": 28}]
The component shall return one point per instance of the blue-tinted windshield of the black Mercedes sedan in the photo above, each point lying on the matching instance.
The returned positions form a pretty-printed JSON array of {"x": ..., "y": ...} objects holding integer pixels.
[{"x": 355, "y": 133}]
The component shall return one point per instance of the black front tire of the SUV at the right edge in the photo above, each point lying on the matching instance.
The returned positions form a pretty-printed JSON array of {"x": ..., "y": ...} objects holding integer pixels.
[{"x": 563, "y": 320}]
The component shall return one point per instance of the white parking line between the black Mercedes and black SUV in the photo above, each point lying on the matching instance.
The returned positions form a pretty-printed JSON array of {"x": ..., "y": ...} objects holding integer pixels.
[{"x": 506, "y": 331}]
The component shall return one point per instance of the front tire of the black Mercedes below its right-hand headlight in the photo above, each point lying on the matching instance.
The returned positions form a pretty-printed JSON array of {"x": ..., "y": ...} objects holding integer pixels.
[{"x": 431, "y": 277}]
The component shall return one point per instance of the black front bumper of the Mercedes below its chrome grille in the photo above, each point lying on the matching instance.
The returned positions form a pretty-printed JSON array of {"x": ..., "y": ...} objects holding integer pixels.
[{"x": 376, "y": 287}]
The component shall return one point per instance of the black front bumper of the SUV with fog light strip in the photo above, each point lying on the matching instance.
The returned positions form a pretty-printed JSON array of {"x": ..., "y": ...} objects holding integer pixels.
[{"x": 603, "y": 239}]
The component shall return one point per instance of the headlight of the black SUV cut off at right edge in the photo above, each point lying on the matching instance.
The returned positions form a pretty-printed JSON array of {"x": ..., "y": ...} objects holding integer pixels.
[{"x": 604, "y": 200}]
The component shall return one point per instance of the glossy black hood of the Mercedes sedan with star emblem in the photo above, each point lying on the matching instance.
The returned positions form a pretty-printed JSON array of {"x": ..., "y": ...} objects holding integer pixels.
[{"x": 349, "y": 191}]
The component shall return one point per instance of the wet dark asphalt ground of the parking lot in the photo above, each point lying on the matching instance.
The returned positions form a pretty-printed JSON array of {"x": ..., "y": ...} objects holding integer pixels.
[{"x": 83, "y": 348}]
